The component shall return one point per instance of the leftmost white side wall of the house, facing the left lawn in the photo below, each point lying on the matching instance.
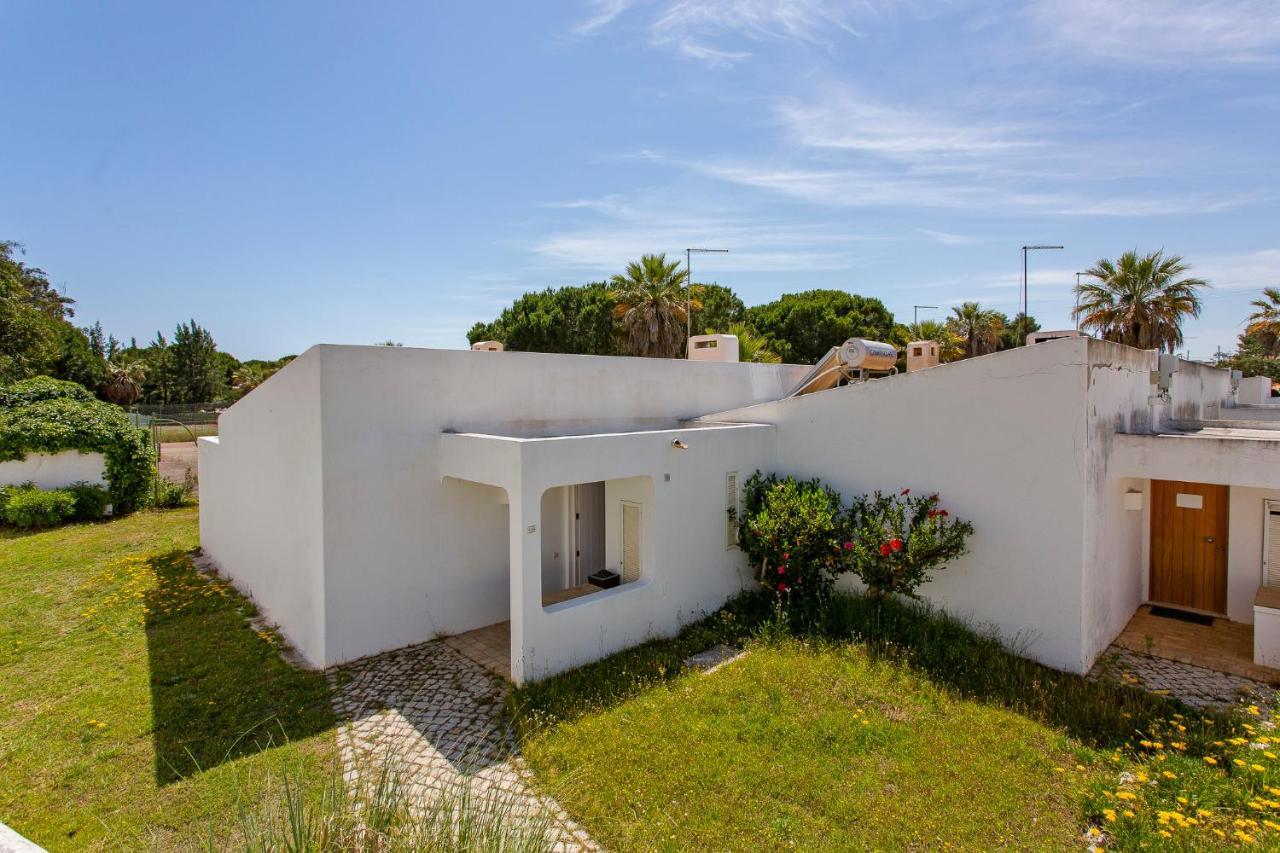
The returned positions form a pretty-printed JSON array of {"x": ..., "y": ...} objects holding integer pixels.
[{"x": 260, "y": 503}]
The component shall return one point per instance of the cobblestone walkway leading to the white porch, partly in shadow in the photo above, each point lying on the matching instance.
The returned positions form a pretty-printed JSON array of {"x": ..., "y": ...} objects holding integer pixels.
[{"x": 438, "y": 715}]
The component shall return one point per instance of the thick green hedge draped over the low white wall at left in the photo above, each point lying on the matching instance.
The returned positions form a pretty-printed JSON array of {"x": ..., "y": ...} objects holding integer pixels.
[{"x": 48, "y": 417}]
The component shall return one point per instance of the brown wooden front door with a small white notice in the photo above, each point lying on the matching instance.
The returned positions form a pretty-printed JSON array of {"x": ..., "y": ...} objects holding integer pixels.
[{"x": 1188, "y": 545}]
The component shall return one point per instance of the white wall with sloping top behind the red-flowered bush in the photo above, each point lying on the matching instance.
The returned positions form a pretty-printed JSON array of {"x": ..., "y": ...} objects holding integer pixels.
[{"x": 1000, "y": 439}]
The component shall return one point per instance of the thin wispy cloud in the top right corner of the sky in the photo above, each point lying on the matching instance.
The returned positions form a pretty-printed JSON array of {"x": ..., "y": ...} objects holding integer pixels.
[{"x": 1164, "y": 33}]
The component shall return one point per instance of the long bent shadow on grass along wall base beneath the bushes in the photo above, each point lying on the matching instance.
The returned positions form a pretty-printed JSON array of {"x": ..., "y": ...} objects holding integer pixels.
[{"x": 934, "y": 645}]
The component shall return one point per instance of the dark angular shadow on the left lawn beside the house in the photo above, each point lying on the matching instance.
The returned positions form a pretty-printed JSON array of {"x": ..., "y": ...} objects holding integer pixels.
[{"x": 220, "y": 688}]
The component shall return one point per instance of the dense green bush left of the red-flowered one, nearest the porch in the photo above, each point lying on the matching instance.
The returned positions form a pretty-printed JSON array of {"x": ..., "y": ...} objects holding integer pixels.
[{"x": 792, "y": 531}]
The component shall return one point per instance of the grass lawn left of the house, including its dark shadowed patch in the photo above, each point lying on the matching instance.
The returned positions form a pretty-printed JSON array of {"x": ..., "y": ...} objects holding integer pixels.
[{"x": 138, "y": 706}]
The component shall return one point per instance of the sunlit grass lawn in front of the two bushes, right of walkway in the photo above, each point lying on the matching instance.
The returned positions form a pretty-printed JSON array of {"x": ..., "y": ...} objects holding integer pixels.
[{"x": 811, "y": 747}]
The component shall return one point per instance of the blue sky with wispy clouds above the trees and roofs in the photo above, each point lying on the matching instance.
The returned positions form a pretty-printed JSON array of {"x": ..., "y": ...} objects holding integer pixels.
[{"x": 294, "y": 174}]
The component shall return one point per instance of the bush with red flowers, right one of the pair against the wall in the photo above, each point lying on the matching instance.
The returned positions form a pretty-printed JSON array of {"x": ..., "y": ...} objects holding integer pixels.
[{"x": 897, "y": 541}]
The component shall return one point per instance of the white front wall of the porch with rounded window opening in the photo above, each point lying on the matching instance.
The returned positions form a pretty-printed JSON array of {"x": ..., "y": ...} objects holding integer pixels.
[{"x": 687, "y": 569}]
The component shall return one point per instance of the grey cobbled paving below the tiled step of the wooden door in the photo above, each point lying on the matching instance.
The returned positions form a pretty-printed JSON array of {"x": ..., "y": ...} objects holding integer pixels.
[{"x": 1196, "y": 686}]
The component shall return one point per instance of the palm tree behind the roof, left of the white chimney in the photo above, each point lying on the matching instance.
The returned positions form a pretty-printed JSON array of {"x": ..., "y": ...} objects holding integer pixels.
[{"x": 653, "y": 304}]
